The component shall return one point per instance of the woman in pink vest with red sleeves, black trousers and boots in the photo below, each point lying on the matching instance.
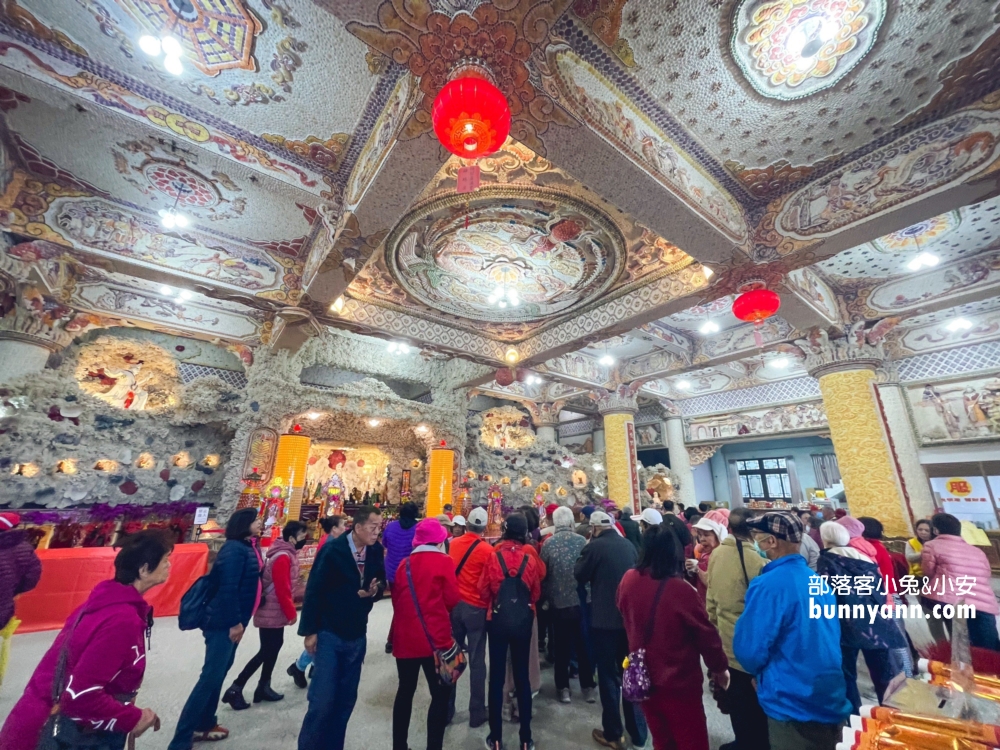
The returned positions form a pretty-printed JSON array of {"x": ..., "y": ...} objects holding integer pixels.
[{"x": 276, "y": 610}]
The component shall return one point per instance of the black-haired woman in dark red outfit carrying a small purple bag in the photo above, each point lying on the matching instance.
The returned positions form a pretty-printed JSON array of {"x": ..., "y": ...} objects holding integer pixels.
[{"x": 655, "y": 592}]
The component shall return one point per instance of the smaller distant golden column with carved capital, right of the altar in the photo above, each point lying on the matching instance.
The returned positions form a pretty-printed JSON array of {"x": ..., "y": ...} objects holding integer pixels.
[{"x": 618, "y": 410}]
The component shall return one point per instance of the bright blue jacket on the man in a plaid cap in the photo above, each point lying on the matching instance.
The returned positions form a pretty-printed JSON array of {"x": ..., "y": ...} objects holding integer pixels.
[{"x": 796, "y": 659}]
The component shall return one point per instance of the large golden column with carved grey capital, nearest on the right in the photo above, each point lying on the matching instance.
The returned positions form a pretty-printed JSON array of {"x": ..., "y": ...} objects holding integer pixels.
[{"x": 846, "y": 370}]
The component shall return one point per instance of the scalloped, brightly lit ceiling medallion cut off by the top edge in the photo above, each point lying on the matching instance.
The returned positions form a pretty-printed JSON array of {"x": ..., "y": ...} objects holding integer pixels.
[{"x": 789, "y": 49}]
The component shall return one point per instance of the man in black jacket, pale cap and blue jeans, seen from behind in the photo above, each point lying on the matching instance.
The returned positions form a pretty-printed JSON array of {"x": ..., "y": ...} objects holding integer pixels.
[{"x": 602, "y": 564}]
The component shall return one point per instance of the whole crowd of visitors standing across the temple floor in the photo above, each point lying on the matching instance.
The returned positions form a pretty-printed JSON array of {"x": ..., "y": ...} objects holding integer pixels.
[{"x": 654, "y": 603}]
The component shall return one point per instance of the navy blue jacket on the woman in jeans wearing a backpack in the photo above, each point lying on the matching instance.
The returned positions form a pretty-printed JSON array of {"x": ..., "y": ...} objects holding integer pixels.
[{"x": 236, "y": 574}]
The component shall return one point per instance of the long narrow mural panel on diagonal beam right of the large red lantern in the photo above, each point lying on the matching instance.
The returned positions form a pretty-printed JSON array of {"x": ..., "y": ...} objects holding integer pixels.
[{"x": 593, "y": 98}]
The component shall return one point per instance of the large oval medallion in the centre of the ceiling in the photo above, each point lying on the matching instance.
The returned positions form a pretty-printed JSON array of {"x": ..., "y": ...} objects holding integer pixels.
[{"x": 505, "y": 254}]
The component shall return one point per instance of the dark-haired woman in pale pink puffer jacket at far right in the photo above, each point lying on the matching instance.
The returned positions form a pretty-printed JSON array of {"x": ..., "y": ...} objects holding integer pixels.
[{"x": 957, "y": 571}]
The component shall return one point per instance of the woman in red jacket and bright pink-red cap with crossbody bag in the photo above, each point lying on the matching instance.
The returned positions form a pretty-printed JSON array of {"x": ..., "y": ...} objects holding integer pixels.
[{"x": 425, "y": 578}]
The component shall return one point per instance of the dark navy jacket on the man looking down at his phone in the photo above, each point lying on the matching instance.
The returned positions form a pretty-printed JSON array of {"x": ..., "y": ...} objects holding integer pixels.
[{"x": 331, "y": 602}]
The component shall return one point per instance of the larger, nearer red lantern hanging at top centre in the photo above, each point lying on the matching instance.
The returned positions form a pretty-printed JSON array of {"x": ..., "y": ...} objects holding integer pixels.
[{"x": 471, "y": 117}]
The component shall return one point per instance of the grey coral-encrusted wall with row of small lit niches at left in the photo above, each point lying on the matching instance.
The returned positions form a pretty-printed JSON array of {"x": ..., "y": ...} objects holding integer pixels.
[{"x": 51, "y": 425}]
